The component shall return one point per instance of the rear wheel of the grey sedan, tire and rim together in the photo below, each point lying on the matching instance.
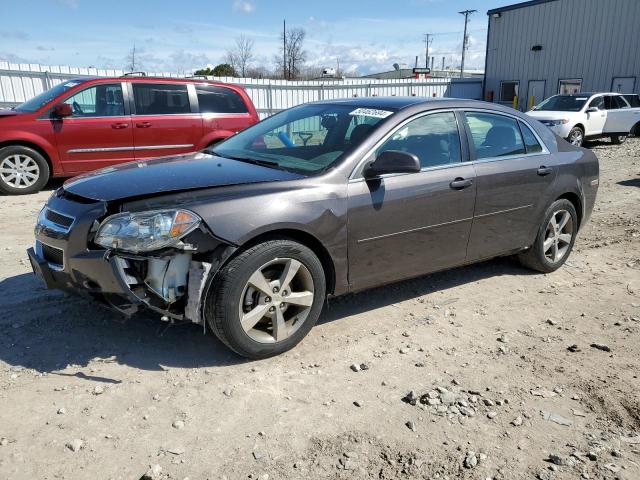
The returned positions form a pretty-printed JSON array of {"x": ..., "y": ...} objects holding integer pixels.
[{"x": 551, "y": 258}]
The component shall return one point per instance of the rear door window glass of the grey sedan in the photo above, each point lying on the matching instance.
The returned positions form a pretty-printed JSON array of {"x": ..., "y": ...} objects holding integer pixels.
[{"x": 494, "y": 135}]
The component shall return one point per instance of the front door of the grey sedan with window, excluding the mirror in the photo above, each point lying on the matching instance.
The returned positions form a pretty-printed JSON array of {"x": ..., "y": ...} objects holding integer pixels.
[{"x": 405, "y": 225}]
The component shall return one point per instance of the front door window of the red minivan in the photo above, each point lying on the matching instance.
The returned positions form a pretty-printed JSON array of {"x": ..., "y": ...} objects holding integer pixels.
[{"x": 103, "y": 100}]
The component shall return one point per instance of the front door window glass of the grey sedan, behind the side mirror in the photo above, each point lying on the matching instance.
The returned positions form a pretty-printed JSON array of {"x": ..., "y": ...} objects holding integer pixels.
[{"x": 433, "y": 138}]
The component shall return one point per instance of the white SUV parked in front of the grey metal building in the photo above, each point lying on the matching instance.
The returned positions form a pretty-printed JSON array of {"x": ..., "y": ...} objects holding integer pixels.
[{"x": 581, "y": 116}]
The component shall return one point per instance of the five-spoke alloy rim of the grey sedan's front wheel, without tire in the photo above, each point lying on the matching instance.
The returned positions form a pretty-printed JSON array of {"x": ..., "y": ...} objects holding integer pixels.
[{"x": 276, "y": 300}]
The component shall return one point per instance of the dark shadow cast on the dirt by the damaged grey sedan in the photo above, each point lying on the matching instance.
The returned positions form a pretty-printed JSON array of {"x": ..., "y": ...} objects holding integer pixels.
[{"x": 48, "y": 331}]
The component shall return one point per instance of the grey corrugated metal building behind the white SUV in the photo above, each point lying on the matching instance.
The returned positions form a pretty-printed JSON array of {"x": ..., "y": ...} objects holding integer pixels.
[{"x": 539, "y": 48}]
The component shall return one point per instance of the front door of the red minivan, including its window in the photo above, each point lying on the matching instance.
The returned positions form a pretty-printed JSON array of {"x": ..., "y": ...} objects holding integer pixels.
[{"x": 98, "y": 133}]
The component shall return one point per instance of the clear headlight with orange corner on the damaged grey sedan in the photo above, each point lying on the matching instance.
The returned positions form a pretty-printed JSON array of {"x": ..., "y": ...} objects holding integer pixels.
[{"x": 146, "y": 231}]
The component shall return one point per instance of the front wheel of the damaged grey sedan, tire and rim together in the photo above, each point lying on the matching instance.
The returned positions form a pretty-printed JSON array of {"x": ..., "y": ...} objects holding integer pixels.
[{"x": 235, "y": 302}]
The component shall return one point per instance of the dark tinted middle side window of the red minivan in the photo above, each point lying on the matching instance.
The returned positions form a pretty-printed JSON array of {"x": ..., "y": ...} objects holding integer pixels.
[{"x": 160, "y": 99}]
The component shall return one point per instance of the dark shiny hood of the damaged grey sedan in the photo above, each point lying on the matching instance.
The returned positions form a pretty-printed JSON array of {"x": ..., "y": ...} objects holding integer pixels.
[{"x": 170, "y": 174}]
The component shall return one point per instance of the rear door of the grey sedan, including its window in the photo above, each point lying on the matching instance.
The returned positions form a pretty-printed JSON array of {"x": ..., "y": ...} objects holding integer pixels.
[{"x": 514, "y": 173}]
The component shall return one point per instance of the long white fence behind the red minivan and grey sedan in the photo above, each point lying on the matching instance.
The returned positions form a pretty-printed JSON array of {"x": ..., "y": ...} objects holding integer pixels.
[{"x": 19, "y": 82}]
